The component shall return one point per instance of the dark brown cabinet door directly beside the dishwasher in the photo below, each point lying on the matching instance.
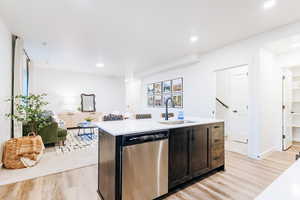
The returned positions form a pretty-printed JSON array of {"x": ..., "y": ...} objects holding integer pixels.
[{"x": 178, "y": 156}]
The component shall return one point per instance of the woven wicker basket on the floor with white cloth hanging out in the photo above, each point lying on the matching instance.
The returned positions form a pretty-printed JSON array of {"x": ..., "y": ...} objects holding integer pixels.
[{"x": 22, "y": 152}]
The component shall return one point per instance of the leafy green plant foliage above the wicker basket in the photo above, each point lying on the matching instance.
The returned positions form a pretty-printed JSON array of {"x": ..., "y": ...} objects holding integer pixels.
[{"x": 29, "y": 111}]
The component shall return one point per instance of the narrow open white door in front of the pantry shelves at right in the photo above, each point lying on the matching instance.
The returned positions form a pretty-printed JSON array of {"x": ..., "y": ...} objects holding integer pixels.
[{"x": 287, "y": 117}]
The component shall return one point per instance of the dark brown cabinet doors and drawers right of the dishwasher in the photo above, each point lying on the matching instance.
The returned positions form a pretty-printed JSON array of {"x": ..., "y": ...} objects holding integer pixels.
[{"x": 194, "y": 151}]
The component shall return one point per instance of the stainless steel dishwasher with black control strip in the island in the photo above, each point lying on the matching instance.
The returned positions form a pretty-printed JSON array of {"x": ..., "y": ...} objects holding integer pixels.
[{"x": 145, "y": 166}]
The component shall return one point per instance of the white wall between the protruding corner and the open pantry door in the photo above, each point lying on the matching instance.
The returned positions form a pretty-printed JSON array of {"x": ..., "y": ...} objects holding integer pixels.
[{"x": 270, "y": 79}]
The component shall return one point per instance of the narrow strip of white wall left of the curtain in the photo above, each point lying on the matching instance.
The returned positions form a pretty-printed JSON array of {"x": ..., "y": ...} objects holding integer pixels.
[{"x": 5, "y": 83}]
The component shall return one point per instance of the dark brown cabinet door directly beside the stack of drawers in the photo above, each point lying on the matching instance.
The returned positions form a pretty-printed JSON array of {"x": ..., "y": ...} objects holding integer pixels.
[{"x": 199, "y": 149}]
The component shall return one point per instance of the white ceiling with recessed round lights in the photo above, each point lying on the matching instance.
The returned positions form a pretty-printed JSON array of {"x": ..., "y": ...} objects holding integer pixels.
[{"x": 135, "y": 35}]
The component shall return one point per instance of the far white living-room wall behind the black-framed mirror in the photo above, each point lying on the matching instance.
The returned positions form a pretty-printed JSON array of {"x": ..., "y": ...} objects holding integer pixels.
[{"x": 64, "y": 89}]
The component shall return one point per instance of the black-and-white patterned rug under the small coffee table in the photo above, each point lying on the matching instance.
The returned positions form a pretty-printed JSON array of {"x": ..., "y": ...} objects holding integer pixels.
[{"x": 75, "y": 142}]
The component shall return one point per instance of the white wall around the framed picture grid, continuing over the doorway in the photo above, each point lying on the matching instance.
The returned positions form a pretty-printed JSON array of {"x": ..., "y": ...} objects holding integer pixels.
[{"x": 200, "y": 86}]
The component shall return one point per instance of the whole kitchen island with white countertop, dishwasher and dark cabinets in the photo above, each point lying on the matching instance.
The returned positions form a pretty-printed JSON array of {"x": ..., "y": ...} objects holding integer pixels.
[{"x": 148, "y": 159}]
